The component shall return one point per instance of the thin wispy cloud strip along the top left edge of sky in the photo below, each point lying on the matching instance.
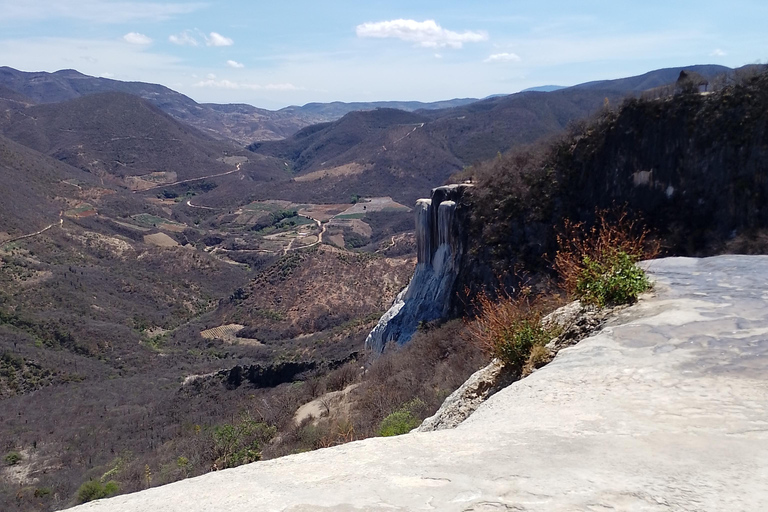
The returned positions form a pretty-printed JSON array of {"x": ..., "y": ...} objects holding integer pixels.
[{"x": 99, "y": 11}]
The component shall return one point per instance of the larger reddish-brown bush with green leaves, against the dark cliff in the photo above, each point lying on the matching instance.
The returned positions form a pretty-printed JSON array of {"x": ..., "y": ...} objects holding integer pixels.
[{"x": 597, "y": 263}]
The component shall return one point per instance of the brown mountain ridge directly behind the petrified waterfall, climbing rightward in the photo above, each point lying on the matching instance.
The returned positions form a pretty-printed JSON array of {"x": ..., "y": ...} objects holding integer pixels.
[{"x": 402, "y": 155}]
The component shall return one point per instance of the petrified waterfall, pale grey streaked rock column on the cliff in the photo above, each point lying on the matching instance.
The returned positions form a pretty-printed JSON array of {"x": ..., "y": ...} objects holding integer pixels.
[{"x": 440, "y": 246}]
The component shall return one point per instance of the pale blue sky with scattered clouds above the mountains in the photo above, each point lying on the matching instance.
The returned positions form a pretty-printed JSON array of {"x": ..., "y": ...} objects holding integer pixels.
[{"x": 291, "y": 52}]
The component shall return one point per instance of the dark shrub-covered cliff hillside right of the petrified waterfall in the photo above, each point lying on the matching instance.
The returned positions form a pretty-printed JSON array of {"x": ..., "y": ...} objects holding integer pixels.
[{"x": 693, "y": 166}]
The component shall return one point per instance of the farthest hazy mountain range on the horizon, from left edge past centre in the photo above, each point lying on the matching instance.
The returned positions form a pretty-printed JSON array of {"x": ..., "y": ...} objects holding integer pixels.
[{"x": 240, "y": 122}]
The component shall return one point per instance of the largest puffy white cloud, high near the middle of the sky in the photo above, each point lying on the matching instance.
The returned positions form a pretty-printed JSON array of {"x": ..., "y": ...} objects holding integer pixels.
[{"x": 427, "y": 34}]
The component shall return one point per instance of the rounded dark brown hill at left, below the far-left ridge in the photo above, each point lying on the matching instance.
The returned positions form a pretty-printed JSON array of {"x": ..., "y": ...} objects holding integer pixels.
[{"x": 116, "y": 134}]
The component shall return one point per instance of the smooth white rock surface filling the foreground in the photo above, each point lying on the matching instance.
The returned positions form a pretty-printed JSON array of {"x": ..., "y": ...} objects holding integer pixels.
[{"x": 665, "y": 409}]
